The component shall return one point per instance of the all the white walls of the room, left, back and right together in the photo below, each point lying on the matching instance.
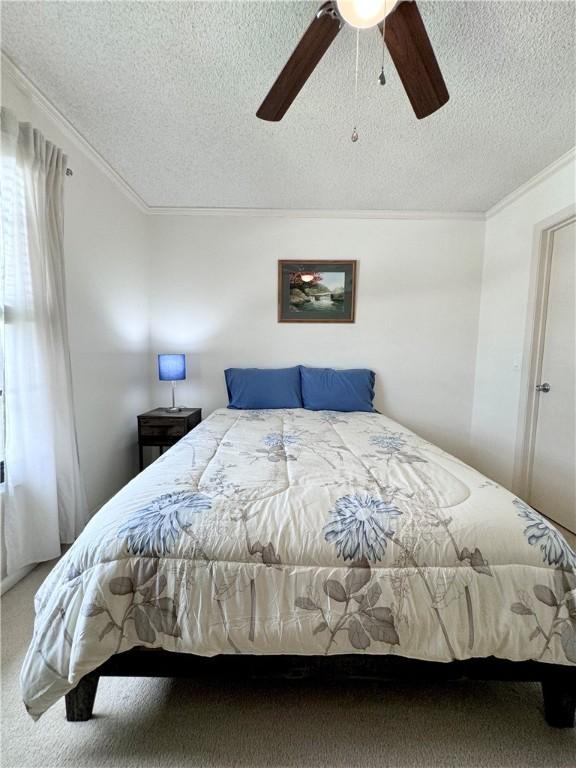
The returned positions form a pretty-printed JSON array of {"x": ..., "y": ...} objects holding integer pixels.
[{"x": 441, "y": 309}]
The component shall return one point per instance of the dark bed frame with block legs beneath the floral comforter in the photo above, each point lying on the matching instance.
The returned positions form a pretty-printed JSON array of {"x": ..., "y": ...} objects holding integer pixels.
[{"x": 558, "y": 682}]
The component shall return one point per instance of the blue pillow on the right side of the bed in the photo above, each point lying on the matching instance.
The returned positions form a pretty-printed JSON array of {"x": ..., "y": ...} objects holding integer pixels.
[{"x": 325, "y": 389}]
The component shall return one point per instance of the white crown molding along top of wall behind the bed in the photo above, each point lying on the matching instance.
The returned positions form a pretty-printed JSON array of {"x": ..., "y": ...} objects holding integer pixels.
[{"x": 312, "y": 213}]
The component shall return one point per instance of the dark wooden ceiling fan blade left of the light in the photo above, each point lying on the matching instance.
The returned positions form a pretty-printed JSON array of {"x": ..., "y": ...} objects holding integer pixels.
[{"x": 312, "y": 46}]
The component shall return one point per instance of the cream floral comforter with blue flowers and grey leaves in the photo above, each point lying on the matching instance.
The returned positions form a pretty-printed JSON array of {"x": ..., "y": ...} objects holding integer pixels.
[{"x": 299, "y": 532}]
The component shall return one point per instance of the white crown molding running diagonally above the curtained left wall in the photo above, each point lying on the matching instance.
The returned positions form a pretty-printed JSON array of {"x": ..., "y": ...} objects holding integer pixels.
[{"x": 26, "y": 86}]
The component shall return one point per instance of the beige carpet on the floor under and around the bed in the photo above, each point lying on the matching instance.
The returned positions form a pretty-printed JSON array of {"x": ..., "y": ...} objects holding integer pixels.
[{"x": 165, "y": 723}]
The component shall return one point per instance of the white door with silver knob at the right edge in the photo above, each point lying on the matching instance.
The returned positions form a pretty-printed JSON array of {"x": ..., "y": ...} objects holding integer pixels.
[{"x": 553, "y": 478}]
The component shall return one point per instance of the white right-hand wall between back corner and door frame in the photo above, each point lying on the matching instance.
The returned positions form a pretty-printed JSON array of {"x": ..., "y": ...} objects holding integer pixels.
[{"x": 503, "y": 316}]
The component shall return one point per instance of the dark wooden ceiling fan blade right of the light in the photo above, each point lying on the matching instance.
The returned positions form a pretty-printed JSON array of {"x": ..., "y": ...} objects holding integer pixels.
[{"x": 413, "y": 56}]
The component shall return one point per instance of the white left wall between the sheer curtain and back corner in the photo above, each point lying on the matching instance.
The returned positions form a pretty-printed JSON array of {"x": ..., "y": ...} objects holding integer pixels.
[{"x": 107, "y": 296}]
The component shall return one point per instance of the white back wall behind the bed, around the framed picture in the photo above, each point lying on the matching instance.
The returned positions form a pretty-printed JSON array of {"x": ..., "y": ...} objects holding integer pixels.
[{"x": 214, "y": 296}]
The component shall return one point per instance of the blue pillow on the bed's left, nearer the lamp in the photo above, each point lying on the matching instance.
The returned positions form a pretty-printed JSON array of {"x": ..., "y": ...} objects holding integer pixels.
[{"x": 263, "y": 388}]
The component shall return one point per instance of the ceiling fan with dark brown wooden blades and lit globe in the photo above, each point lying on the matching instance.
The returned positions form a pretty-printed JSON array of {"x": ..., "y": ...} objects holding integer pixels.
[{"x": 406, "y": 39}]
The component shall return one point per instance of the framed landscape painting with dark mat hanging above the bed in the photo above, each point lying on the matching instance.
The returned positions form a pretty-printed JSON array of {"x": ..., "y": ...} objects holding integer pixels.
[{"x": 316, "y": 291}]
